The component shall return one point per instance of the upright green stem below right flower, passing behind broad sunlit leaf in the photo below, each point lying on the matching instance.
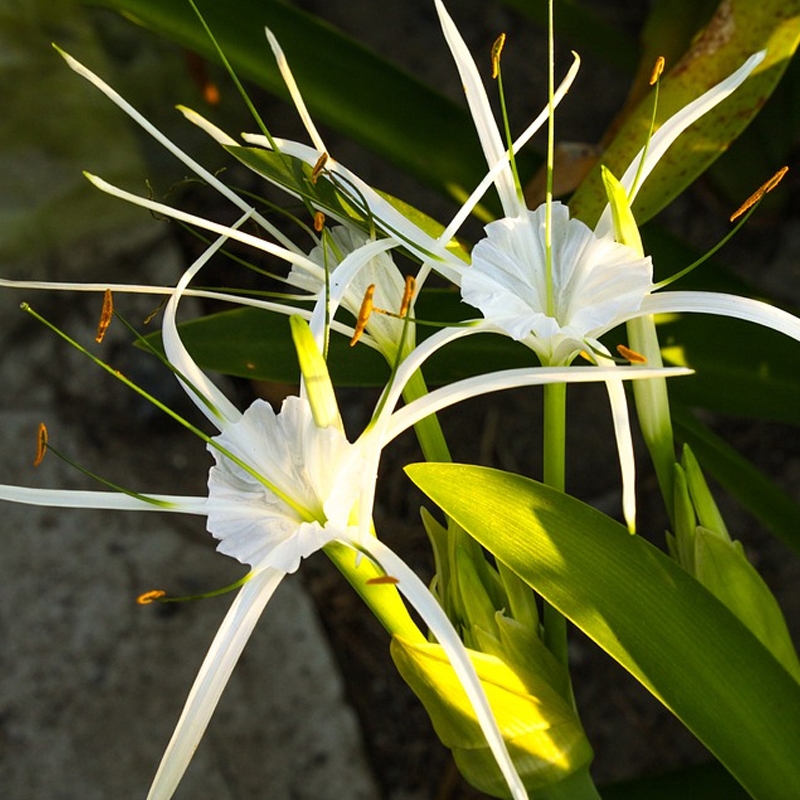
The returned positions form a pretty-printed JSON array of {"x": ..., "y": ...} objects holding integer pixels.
[{"x": 555, "y": 431}]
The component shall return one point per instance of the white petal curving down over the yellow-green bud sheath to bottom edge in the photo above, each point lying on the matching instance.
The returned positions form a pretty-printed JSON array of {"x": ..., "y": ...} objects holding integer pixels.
[{"x": 412, "y": 588}]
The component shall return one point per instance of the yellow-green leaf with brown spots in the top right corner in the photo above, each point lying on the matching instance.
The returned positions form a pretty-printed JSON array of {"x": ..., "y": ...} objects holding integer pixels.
[{"x": 738, "y": 29}]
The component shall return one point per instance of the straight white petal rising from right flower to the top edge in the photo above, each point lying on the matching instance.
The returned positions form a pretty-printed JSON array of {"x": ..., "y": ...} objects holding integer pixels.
[{"x": 492, "y": 142}]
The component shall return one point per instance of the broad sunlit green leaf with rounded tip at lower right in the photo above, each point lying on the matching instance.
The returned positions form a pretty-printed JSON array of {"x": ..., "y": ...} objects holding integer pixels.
[{"x": 659, "y": 623}]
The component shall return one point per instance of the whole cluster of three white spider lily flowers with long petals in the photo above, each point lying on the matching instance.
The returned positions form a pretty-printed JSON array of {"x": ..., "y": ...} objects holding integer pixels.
[{"x": 286, "y": 485}]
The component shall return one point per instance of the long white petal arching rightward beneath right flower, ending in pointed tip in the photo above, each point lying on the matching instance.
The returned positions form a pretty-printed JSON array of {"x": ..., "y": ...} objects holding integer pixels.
[{"x": 438, "y": 399}]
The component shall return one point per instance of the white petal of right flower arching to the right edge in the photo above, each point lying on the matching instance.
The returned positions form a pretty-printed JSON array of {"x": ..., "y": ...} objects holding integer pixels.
[{"x": 723, "y": 305}]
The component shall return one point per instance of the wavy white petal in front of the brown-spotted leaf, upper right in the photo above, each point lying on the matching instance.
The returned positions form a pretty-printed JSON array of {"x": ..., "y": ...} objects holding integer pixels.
[{"x": 664, "y": 137}]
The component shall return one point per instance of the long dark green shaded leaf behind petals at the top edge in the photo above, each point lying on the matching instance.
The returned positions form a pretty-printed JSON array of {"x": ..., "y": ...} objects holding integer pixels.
[{"x": 367, "y": 98}]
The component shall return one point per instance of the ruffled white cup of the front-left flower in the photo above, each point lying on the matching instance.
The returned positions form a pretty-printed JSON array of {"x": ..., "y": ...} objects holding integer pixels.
[{"x": 317, "y": 469}]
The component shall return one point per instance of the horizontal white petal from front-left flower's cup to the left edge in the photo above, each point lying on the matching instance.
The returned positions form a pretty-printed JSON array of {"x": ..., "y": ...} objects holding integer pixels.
[{"x": 70, "y": 498}]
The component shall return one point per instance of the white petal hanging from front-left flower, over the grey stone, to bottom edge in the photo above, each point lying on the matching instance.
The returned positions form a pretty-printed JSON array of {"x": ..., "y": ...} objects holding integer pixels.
[{"x": 211, "y": 680}]
